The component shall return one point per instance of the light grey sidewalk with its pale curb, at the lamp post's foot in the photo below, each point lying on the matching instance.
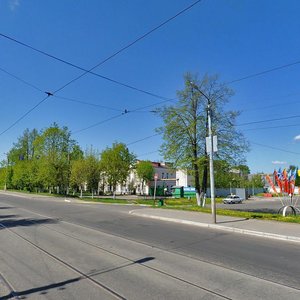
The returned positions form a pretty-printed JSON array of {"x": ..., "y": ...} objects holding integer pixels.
[{"x": 267, "y": 229}]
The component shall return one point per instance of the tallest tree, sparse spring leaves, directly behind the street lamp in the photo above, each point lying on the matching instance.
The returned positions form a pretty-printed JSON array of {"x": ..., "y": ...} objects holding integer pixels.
[{"x": 185, "y": 127}]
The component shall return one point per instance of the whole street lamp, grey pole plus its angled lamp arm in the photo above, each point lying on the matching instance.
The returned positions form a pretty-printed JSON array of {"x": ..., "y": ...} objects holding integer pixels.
[{"x": 211, "y": 151}]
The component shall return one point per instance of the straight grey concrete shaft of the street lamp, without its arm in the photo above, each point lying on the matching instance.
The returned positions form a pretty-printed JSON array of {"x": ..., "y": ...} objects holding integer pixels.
[{"x": 211, "y": 167}]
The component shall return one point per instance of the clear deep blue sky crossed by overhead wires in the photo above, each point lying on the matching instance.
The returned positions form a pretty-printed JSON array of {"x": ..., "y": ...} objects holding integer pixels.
[{"x": 227, "y": 37}]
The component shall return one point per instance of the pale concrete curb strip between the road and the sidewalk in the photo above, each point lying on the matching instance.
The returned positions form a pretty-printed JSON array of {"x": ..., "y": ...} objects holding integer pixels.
[{"x": 224, "y": 228}]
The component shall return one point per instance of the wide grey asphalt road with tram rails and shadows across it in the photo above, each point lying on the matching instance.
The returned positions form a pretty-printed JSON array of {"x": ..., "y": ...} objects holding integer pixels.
[{"x": 52, "y": 249}]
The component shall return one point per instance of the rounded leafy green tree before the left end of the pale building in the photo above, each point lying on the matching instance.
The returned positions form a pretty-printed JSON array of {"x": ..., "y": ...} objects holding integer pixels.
[{"x": 115, "y": 164}]
